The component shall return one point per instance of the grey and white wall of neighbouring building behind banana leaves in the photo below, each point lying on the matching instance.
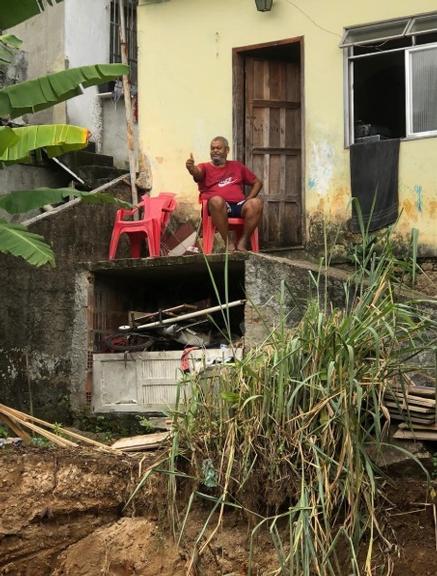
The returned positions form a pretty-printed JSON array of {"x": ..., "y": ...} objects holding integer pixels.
[{"x": 71, "y": 34}]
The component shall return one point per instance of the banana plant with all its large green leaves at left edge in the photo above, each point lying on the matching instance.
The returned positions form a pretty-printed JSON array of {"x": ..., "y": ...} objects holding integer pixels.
[{"x": 17, "y": 143}]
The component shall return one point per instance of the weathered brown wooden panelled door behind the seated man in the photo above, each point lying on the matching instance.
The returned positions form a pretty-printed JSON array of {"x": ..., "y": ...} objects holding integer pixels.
[{"x": 273, "y": 145}]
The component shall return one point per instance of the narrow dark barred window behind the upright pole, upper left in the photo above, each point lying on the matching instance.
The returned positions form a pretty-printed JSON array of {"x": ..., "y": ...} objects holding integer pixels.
[{"x": 130, "y": 16}]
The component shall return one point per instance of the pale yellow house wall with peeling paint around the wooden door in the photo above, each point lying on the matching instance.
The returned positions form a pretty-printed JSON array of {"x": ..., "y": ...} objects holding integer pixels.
[{"x": 185, "y": 79}]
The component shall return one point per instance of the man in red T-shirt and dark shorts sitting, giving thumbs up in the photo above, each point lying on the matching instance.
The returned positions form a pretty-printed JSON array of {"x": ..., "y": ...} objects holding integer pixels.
[{"x": 221, "y": 182}]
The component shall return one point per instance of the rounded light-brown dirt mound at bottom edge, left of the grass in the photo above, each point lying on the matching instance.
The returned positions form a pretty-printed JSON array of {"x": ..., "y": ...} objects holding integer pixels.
[{"x": 132, "y": 546}]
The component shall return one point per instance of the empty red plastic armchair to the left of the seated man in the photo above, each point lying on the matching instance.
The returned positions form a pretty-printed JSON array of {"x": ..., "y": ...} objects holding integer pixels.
[{"x": 154, "y": 215}]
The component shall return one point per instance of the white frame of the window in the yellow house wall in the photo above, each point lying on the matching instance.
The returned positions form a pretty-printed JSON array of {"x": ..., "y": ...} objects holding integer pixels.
[{"x": 348, "y": 67}]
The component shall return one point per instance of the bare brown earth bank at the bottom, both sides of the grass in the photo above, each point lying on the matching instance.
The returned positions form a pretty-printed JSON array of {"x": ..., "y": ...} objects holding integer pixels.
[{"x": 61, "y": 515}]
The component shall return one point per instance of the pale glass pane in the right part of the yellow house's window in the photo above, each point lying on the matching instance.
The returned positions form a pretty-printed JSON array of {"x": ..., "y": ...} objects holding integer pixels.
[{"x": 424, "y": 89}]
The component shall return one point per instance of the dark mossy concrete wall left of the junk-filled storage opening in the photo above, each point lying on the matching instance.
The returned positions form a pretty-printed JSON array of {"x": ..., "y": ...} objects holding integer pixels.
[{"x": 40, "y": 311}]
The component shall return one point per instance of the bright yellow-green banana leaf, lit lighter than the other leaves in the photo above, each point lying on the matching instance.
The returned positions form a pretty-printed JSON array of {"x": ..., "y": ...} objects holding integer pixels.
[{"x": 56, "y": 139}]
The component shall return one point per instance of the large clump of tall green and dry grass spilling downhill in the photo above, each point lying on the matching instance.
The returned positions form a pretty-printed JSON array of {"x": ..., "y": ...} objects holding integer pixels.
[{"x": 286, "y": 433}]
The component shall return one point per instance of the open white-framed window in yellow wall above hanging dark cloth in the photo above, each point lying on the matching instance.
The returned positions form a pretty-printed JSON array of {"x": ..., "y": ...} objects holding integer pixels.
[{"x": 391, "y": 79}]
